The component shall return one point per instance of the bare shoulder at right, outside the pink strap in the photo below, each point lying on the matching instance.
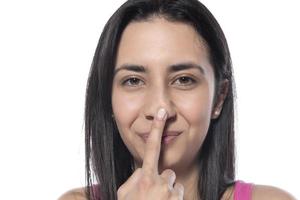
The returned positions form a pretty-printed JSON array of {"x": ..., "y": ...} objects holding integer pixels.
[{"x": 265, "y": 192}]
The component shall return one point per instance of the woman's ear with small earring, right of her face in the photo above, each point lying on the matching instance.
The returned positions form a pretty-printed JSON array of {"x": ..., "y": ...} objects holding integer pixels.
[{"x": 220, "y": 99}]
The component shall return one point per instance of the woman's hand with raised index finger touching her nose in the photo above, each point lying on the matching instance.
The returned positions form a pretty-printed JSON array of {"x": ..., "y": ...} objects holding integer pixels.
[{"x": 146, "y": 183}]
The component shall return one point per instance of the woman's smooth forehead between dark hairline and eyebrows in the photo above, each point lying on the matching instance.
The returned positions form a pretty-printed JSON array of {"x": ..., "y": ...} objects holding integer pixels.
[{"x": 161, "y": 42}]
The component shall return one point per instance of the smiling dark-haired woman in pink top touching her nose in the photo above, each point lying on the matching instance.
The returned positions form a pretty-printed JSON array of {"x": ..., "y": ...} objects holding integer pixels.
[{"x": 159, "y": 116}]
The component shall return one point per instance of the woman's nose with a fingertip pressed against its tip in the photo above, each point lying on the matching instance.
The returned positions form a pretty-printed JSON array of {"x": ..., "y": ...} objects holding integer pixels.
[{"x": 159, "y": 98}]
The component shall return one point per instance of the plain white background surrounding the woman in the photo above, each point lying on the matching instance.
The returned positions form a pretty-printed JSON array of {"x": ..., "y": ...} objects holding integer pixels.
[{"x": 46, "y": 49}]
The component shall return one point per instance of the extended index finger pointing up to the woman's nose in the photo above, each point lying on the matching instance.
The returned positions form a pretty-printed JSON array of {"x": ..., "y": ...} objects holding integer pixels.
[{"x": 153, "y": 145}]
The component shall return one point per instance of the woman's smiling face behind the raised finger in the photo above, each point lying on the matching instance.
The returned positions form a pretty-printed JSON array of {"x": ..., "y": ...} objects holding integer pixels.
[{"x": 163, "y": 64}]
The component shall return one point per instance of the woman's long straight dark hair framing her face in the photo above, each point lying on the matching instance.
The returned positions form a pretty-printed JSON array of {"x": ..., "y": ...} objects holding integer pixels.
[{"x": 108, "y": 161}]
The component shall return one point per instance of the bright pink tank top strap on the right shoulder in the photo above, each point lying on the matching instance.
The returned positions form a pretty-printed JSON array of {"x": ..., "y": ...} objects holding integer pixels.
[{"x": 242, "y": 191}]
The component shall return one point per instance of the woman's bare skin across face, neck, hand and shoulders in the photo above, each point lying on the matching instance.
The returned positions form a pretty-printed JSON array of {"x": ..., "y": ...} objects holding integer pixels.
[{"x": 157, "y": 44}]
